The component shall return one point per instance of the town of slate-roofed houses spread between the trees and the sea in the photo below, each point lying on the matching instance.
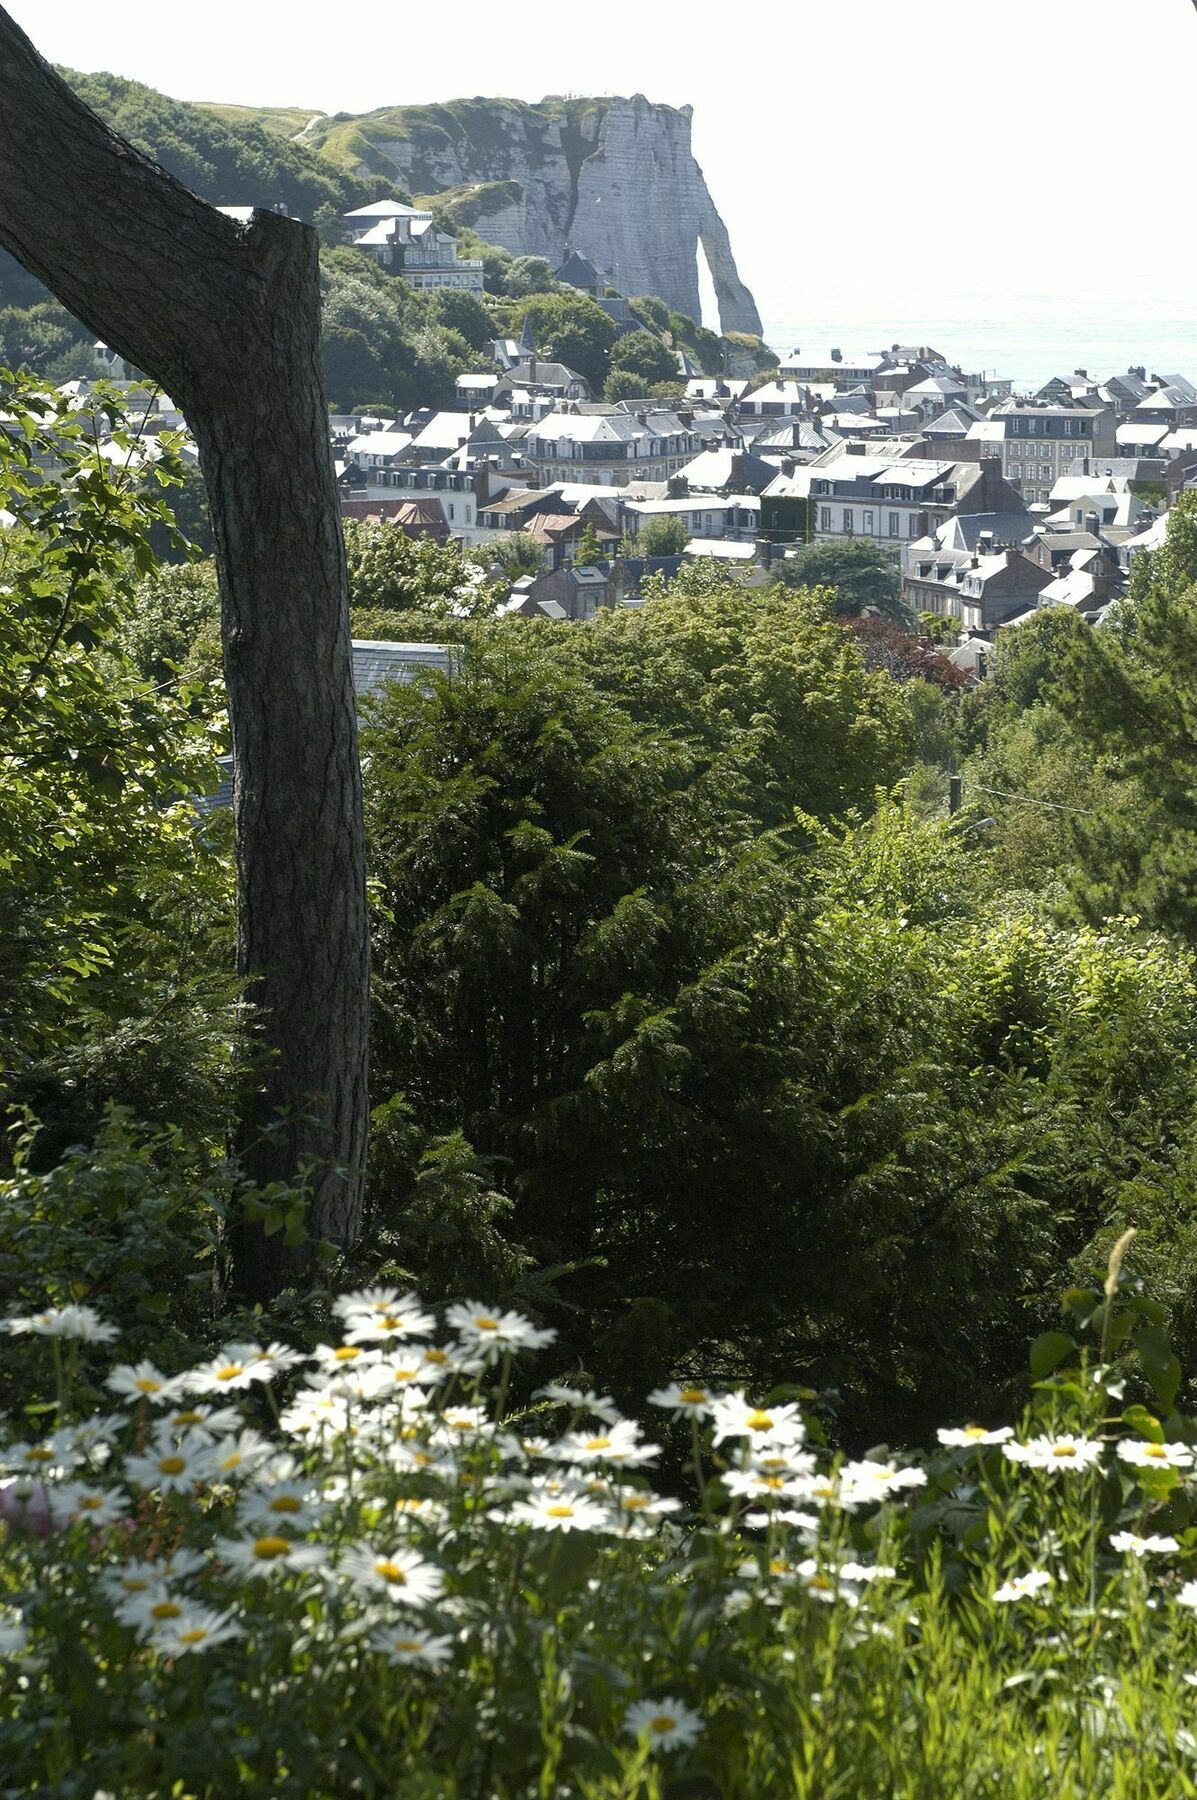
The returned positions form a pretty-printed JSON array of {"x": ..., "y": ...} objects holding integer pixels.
[{"x": 987, "y": 503}]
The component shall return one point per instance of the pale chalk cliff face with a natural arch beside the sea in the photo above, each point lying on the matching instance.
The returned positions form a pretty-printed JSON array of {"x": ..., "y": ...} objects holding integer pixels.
[{"x": 611, "y": 179}]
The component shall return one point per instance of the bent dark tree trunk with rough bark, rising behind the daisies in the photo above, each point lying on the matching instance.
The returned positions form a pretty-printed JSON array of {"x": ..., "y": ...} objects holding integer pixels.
[{"x": 228, "y": 319}]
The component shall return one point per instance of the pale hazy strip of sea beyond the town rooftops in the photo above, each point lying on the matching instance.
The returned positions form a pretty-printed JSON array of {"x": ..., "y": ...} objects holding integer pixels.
[{"x": 1025, "y": 339}]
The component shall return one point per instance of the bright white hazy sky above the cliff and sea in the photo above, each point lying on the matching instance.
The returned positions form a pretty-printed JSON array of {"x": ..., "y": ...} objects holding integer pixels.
[{"x": 955, "y": 156}]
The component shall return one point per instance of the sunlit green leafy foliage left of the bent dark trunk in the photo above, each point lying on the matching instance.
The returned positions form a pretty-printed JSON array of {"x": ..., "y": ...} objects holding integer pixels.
[{"x": 111, "y": 967}]
